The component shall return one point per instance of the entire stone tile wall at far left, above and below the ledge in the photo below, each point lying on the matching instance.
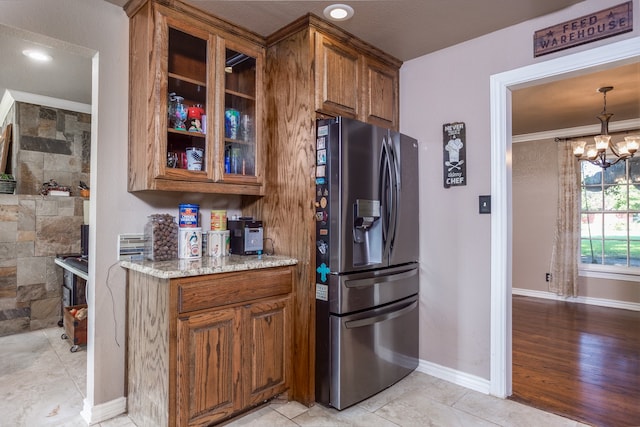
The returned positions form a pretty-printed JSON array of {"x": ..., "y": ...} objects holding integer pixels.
[{"x": 48, "y": 143}]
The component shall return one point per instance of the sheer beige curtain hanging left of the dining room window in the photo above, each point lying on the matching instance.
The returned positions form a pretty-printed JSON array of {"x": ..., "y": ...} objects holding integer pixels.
[{"x": 564, "y": 257}]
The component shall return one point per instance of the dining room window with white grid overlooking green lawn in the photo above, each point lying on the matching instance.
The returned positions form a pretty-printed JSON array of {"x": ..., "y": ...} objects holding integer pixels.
[{"x": 610, "y": 214}]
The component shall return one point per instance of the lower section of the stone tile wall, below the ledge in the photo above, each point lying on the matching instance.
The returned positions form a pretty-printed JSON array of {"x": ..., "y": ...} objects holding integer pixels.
[{"x": 33, "y": 229}]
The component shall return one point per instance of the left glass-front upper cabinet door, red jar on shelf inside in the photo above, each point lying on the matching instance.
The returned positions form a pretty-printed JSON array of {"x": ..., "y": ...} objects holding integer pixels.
[{"x": 189, "y": 151}]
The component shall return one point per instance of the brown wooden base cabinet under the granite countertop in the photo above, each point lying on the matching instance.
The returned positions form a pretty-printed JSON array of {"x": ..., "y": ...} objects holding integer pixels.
[{"x": 224, "y": 345}]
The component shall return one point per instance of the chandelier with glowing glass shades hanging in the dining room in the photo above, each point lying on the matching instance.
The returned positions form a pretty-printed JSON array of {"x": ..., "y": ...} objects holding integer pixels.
[{"x": 602, "y": 147}]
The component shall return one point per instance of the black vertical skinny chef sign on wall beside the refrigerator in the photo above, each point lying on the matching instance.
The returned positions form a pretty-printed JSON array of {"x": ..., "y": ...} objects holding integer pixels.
[{"x": 454, "y": 154}]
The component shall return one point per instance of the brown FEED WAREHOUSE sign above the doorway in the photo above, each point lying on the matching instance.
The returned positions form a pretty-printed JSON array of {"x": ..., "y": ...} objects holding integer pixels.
[{"x": 586, "y": 29}]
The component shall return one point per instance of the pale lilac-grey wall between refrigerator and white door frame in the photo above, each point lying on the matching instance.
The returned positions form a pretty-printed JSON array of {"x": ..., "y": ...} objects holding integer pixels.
[{"x": 453, "y": 85}]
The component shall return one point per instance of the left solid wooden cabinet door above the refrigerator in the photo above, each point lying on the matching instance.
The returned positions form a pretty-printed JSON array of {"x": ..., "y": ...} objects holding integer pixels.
[{"x": 337, "y": 77}]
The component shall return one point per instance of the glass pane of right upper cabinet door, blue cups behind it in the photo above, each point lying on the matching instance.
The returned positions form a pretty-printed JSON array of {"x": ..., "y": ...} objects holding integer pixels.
[{"x": 240, "y": 113}]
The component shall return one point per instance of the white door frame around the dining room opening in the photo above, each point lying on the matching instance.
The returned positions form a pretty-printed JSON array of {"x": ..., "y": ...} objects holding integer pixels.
[{"x": 599, "y": 58}]
